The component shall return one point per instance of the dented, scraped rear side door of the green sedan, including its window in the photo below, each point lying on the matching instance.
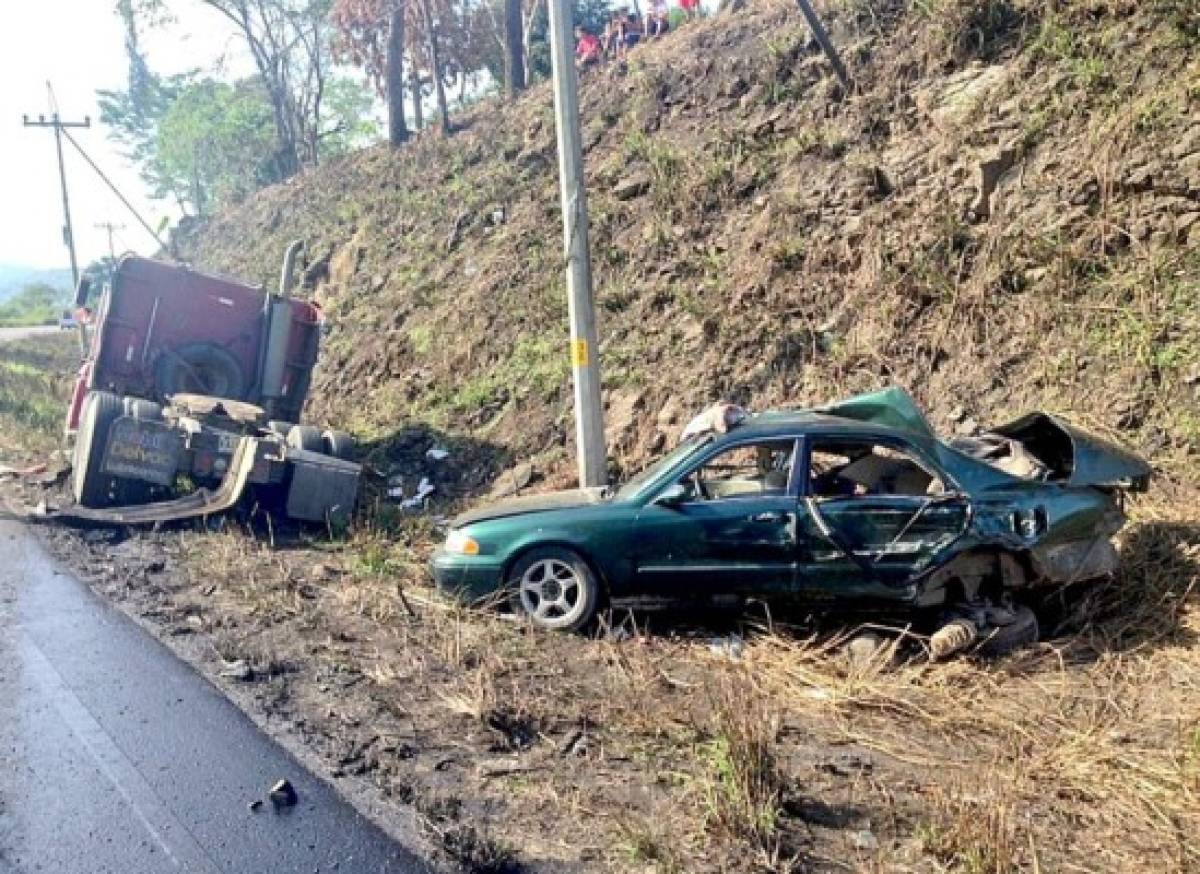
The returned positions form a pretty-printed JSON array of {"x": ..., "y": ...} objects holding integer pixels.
[{"x": 877, "y": 514}]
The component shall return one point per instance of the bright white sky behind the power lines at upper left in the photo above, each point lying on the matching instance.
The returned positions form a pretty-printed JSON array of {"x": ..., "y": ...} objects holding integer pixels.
[{"x": 80, "y": 47}]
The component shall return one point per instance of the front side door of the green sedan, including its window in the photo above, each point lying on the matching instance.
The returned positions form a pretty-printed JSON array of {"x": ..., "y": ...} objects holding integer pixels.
[{"x": 727, "y": 526}]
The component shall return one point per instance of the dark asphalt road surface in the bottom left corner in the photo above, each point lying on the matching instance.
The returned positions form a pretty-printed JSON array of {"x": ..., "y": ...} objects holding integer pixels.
[{"x": 117, "y": 757}]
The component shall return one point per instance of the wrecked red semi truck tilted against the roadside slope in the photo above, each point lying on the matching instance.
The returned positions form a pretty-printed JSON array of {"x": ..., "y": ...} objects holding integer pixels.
[{"x": 199, "y": 379}]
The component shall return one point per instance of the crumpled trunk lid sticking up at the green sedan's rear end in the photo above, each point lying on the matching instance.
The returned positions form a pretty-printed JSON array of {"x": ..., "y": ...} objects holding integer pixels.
[{"x": 1078, "y": 457}]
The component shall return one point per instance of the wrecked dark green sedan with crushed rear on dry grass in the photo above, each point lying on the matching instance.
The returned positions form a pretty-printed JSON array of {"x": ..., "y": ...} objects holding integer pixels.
[{"x": 856, "y": 507}]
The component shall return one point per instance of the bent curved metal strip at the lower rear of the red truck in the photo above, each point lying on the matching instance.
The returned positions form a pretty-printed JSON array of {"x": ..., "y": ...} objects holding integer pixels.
[{"x": 203, "y": 502}]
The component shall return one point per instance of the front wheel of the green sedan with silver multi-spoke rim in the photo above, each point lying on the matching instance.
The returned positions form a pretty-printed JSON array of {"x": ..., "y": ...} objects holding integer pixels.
[{"x": 555, "y": 588}]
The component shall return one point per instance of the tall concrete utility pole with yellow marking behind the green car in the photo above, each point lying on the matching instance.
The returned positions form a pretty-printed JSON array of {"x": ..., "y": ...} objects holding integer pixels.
[{"x": 585, "y": 355}]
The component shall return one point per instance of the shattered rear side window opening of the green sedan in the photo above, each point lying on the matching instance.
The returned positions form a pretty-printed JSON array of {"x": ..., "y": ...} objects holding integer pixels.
[{"x": 845, "y": 468}]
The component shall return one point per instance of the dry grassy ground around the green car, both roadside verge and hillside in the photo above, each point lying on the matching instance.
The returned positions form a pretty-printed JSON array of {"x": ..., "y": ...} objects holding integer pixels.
[{"x": 1004, "y": 217}]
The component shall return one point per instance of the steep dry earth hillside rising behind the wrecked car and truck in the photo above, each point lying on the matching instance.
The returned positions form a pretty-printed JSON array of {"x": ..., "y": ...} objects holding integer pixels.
[{"x": 1005, "y": 215}]
